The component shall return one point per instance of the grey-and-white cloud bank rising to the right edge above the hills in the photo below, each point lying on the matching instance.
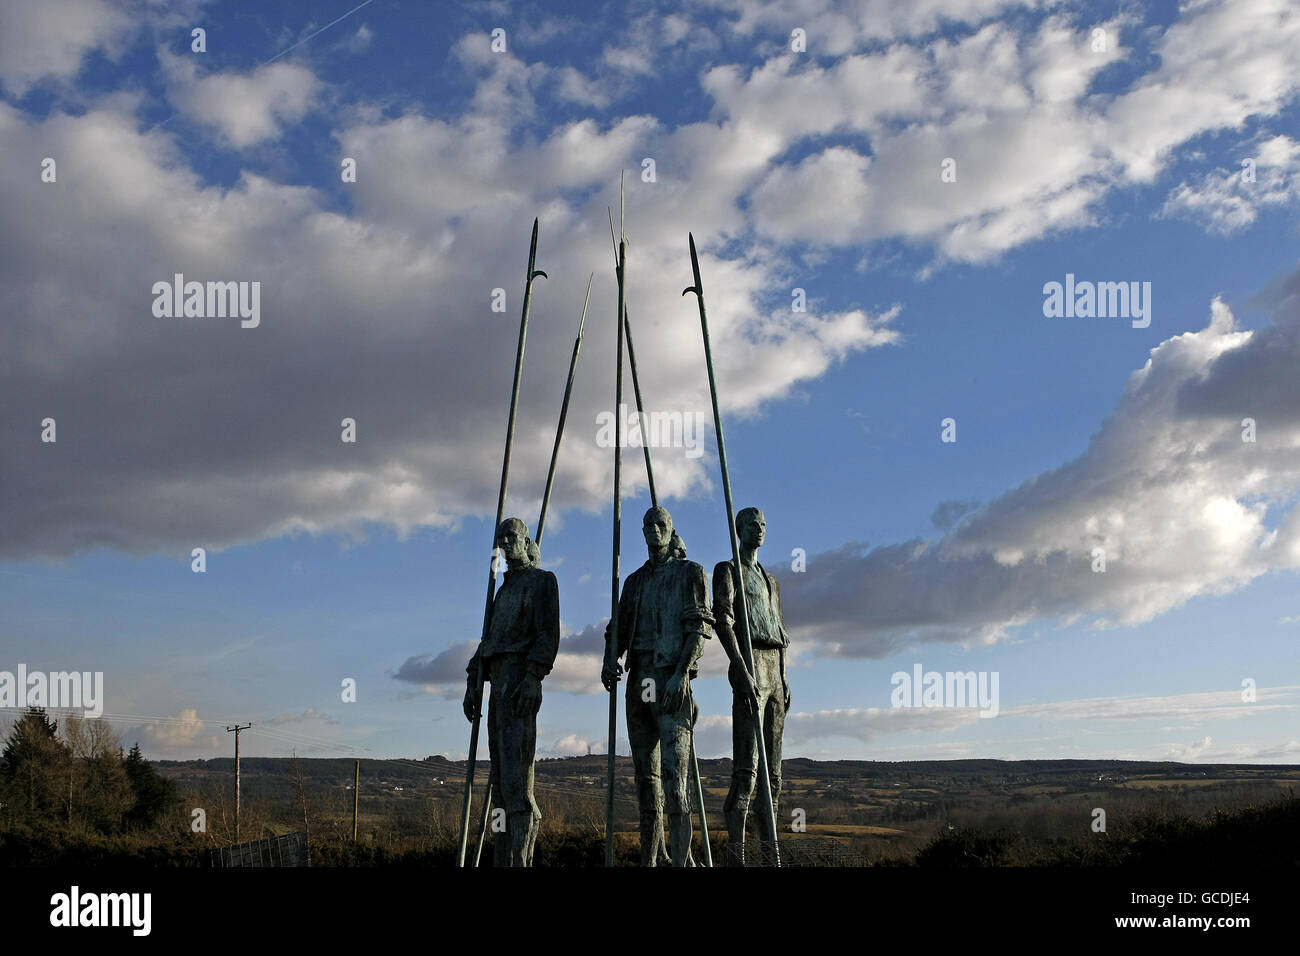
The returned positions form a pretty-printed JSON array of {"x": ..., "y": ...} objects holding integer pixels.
[{"x": 1180, "y": 504}]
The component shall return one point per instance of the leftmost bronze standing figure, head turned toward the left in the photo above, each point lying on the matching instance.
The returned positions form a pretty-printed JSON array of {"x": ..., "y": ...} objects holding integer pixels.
[{"x": 518, "y": 654}]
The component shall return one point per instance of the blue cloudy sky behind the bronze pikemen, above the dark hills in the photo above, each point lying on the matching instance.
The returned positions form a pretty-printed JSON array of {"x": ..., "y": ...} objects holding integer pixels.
[{"x": 916, "y": 172}]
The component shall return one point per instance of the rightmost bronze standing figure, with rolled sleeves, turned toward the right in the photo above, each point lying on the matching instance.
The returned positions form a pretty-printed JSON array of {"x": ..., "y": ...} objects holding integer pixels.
[{"x": 764, "y": 694}]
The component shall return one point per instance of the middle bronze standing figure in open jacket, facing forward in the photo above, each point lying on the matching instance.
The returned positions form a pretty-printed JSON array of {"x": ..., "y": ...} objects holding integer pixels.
[{"x": 664, "y": 624}]
